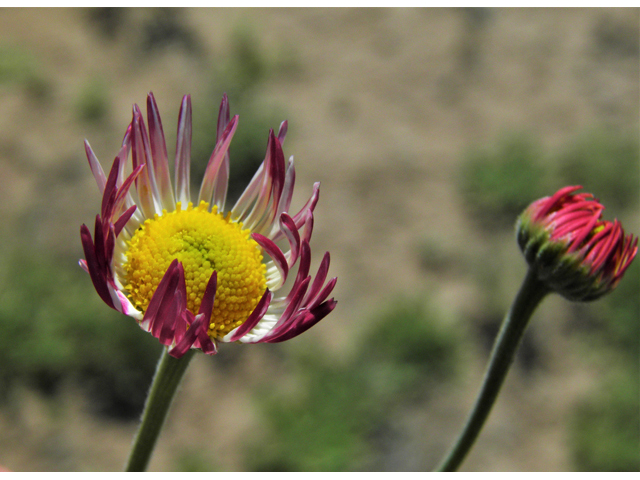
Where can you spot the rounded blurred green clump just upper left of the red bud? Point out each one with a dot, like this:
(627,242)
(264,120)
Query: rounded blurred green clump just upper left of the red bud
(498,183)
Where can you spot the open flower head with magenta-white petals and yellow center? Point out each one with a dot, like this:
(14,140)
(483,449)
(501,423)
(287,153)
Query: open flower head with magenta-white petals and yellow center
(193,275)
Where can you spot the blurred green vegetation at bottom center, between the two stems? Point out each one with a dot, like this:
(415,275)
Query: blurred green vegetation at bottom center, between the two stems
(336,420)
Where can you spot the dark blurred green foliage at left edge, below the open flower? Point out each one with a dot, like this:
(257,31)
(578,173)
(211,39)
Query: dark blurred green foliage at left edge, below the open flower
(55,328)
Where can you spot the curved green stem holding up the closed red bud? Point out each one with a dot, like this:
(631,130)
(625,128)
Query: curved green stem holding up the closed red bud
(530,295)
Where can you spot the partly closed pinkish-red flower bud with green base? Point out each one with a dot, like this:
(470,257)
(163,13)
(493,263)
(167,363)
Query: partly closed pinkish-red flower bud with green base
(573,250)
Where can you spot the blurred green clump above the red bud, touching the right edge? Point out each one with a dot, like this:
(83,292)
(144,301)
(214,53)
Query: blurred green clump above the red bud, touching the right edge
(606,163)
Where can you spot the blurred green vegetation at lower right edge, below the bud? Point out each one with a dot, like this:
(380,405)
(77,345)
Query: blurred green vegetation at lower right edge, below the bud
(606,425)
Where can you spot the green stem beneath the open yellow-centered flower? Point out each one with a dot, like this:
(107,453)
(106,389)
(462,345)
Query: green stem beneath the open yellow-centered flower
(166,380)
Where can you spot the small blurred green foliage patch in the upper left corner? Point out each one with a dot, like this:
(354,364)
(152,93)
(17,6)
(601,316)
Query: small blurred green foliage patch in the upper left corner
(19,67)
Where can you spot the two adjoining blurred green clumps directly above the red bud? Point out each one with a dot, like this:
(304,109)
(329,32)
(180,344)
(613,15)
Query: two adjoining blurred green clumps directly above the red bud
(498,181)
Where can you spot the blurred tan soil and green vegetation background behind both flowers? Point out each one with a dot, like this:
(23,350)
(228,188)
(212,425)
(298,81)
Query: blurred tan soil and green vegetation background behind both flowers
(430,131)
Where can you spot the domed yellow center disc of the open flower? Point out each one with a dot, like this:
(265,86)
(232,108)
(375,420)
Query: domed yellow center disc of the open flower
(202,241)
